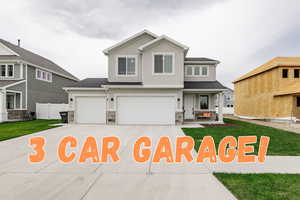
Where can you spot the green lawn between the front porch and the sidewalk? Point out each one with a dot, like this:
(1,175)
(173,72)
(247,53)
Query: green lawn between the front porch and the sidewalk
(282,142)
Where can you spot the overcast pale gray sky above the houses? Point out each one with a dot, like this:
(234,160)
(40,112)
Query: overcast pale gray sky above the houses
(242,34)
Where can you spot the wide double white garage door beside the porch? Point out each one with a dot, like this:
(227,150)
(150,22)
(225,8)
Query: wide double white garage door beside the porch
(146,110)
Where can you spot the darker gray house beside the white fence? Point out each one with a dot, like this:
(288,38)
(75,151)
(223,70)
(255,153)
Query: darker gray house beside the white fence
(26,79)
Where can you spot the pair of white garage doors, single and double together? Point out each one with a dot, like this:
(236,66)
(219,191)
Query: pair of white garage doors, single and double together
(129,110)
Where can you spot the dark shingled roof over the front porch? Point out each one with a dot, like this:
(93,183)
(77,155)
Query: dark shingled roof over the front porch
(203,85)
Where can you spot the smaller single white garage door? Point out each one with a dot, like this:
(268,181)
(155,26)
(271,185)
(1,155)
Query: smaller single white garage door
(90,110)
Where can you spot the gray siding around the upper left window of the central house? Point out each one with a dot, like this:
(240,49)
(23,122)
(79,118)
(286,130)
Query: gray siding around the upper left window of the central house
(130,48)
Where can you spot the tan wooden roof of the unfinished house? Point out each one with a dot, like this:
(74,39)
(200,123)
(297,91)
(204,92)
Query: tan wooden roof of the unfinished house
(275,62)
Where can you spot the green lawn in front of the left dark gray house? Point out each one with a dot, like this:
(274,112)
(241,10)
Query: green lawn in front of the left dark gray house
(16,129)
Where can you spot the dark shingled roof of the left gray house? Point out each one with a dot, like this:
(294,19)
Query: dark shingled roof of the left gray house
(35,60)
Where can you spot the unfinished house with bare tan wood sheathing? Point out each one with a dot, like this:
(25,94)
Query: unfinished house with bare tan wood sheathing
(271,91)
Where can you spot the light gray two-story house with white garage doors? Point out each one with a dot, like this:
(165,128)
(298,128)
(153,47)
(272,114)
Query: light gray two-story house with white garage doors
(150,81)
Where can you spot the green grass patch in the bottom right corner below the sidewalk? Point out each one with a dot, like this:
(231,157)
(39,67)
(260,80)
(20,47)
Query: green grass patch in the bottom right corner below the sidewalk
(262,186)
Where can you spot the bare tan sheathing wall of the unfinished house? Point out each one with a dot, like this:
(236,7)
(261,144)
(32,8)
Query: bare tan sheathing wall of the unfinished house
(254,96)
